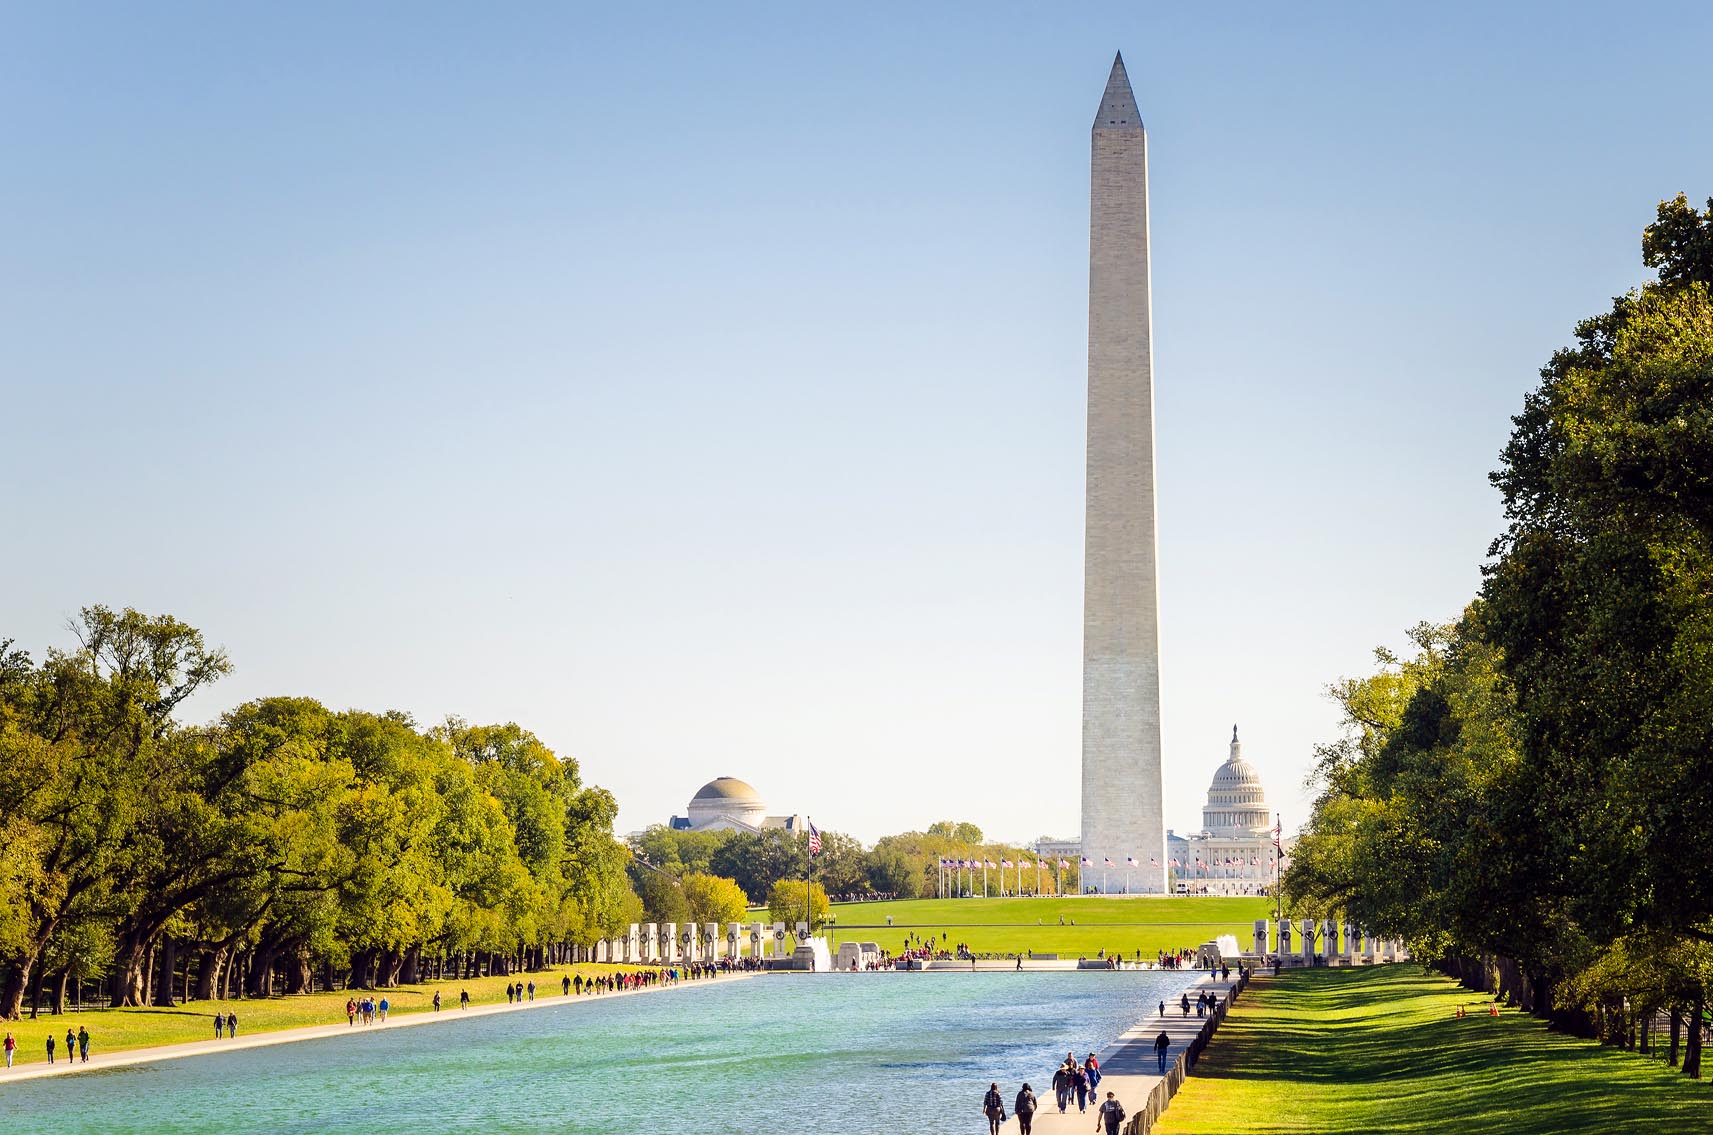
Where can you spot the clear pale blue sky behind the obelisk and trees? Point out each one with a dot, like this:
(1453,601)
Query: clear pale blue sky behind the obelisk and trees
(703,386)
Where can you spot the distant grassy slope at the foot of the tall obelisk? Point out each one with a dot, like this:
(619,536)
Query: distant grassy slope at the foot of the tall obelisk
(1022,925)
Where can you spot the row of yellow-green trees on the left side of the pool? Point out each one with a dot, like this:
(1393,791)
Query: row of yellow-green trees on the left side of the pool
(282,841)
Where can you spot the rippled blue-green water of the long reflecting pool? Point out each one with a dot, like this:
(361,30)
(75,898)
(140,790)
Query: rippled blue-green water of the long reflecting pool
(832,1054)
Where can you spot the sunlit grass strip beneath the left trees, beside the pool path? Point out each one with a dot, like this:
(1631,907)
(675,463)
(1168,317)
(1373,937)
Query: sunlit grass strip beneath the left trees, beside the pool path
(116,1030)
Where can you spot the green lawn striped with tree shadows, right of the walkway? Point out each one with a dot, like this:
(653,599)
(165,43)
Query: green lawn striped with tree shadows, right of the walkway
(1382,1050)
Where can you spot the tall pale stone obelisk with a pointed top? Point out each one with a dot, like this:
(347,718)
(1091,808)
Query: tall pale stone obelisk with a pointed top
(1123,811)
